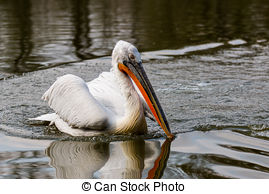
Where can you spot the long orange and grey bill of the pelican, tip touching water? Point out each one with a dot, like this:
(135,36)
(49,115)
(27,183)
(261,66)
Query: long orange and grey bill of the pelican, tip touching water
(138,75)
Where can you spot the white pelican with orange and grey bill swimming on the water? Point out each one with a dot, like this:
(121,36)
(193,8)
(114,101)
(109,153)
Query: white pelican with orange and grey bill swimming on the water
(115,102)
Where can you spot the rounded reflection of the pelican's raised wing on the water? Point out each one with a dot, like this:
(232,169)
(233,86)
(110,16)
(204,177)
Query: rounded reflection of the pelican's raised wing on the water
(73,159)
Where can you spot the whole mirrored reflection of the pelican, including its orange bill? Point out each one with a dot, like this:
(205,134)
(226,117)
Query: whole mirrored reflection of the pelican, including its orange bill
(126,159)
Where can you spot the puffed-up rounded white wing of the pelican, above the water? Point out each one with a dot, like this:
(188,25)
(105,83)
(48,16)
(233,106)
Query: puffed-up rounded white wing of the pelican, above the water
(71,99)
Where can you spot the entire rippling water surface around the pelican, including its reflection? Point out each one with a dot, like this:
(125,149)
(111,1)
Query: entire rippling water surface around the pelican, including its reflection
(208,61)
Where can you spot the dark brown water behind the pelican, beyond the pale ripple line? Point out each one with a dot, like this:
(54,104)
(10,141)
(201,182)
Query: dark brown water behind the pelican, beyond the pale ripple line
(40,34)
